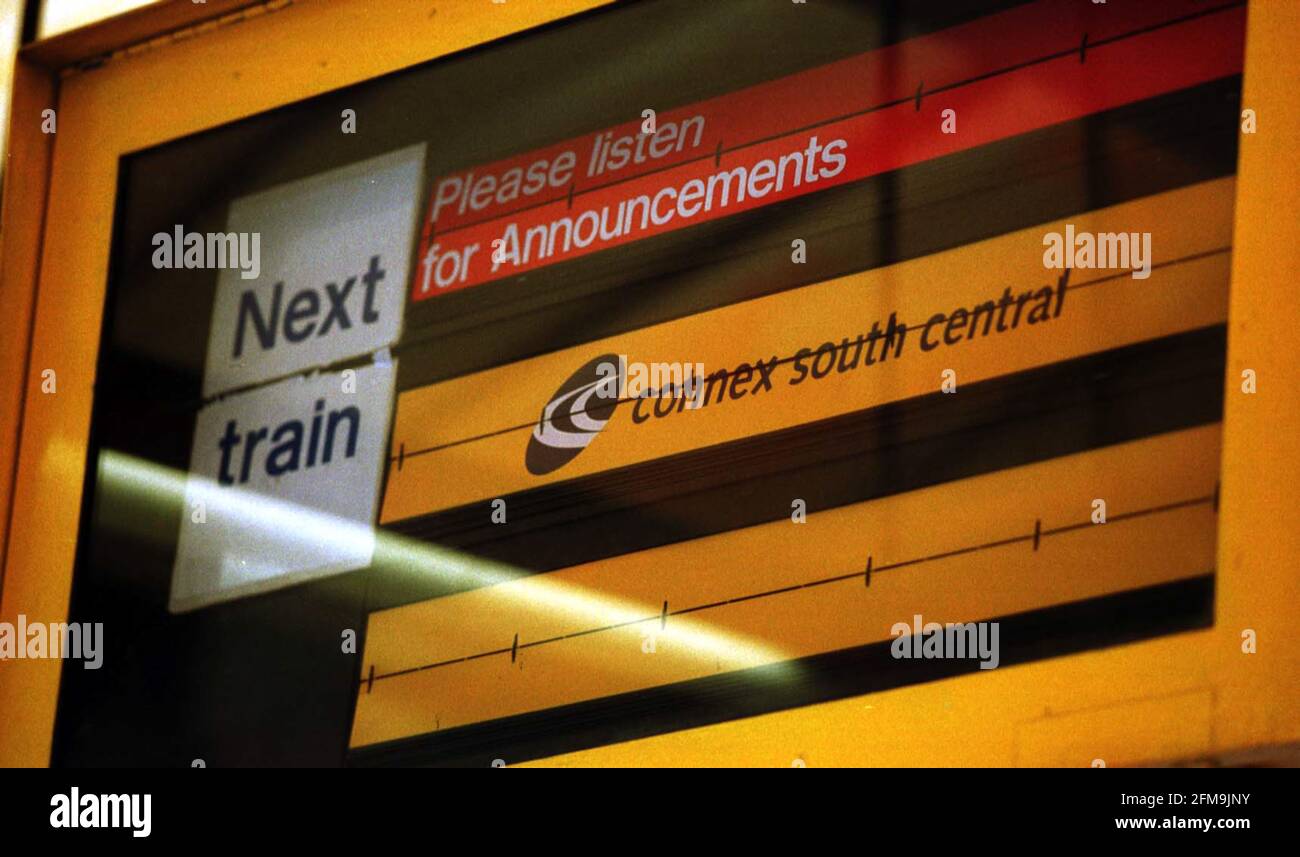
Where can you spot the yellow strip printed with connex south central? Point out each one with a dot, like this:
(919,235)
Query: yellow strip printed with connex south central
(466,440)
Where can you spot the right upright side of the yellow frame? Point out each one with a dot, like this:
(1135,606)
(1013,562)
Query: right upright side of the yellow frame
(1259,585)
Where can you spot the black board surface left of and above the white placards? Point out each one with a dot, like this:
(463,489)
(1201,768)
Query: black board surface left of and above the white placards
(263,681)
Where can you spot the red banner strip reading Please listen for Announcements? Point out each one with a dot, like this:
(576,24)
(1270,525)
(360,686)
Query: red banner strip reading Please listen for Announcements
(1002,76)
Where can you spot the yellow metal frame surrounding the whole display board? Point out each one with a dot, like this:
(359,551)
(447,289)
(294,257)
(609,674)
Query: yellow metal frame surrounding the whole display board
(1185,696)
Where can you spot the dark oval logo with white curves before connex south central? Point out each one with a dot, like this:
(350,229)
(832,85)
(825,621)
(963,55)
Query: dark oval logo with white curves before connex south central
(575,415)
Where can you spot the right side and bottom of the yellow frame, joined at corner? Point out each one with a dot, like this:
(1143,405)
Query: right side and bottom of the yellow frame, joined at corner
(1194,698)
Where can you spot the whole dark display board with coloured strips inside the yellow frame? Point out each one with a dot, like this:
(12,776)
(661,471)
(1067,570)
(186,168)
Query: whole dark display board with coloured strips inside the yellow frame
(601,421)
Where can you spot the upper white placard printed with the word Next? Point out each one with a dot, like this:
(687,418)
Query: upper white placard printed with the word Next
(335,258)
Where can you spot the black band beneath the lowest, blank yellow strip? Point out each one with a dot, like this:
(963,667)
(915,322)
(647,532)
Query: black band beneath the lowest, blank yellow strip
(1121,618)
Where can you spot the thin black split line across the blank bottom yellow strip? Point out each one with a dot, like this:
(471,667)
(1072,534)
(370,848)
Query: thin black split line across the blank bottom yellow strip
(821,582)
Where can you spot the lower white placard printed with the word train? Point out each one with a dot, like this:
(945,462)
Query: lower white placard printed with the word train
(283,487)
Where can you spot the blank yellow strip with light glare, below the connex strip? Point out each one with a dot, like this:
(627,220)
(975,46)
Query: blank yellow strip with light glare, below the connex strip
(995,546)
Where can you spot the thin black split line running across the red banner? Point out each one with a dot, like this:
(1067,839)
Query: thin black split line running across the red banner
(1069,53)
